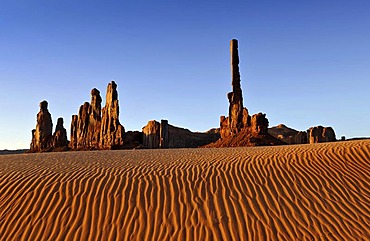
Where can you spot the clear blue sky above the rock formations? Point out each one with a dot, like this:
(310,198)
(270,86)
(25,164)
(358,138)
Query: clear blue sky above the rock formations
(304,63)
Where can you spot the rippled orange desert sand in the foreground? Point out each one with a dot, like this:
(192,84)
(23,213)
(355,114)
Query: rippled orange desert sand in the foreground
(298,192)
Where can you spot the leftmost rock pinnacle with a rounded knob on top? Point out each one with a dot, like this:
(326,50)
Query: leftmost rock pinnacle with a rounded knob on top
(42,135)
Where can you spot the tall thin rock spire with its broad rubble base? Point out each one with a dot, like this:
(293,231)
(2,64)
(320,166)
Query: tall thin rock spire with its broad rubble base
(239,128)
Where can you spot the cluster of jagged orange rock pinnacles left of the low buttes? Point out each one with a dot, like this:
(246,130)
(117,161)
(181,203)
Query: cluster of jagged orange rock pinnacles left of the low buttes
(94,128)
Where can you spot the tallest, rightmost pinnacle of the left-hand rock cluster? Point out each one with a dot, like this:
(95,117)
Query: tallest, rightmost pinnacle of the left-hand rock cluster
(112,131)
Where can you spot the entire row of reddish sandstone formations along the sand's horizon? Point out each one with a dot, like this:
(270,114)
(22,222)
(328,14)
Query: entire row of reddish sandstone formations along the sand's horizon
(97,128)
